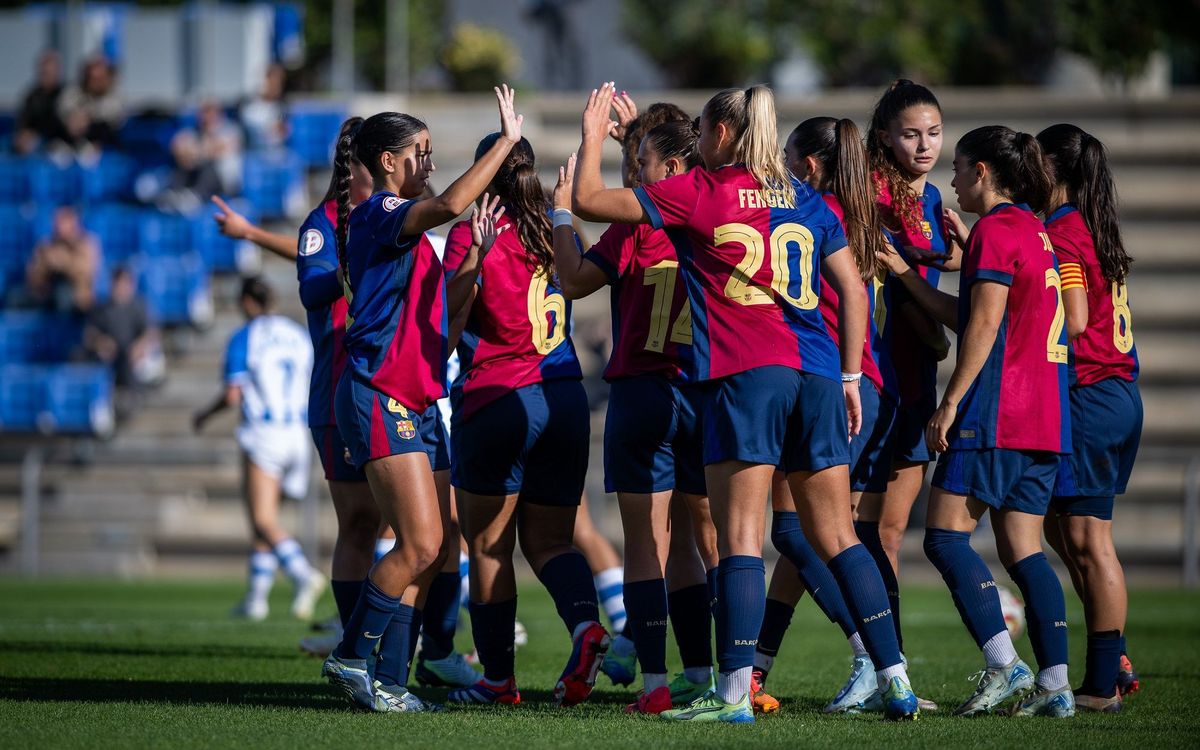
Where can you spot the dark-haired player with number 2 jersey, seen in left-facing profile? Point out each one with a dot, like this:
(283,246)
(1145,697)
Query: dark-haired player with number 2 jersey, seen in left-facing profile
(1003,422)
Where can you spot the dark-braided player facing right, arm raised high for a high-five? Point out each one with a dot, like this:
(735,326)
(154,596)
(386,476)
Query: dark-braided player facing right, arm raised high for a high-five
(397,344)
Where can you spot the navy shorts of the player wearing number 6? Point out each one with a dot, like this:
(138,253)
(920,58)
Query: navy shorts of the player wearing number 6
(532,441)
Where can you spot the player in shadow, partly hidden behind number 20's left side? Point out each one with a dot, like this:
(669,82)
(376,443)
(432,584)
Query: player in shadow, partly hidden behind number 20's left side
(652,437)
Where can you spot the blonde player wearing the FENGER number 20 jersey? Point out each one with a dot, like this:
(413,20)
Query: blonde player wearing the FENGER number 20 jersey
(754,247)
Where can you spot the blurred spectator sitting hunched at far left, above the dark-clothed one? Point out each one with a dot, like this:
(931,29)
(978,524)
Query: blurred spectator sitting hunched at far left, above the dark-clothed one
(62,275)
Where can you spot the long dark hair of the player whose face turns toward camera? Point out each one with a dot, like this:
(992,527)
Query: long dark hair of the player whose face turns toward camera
(901,97)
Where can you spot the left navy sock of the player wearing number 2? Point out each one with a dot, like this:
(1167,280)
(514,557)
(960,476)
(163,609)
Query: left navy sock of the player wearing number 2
(971,584)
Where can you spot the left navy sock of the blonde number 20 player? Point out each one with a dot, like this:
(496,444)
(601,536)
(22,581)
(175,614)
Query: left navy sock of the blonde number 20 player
(742,595)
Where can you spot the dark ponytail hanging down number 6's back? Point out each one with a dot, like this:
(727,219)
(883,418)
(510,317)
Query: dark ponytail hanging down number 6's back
(518,185)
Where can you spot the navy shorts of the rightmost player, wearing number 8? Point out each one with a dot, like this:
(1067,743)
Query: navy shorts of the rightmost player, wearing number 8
(1106,431)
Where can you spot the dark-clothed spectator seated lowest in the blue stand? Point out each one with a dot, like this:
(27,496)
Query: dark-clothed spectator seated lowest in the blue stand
(122,334)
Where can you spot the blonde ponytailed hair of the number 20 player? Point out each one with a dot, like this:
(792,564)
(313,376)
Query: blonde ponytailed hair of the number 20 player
(751,117)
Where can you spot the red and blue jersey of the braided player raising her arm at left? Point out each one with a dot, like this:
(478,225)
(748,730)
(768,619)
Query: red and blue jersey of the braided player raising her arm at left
(397,322)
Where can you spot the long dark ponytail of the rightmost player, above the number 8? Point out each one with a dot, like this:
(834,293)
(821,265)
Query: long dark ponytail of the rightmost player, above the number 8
(1078,163)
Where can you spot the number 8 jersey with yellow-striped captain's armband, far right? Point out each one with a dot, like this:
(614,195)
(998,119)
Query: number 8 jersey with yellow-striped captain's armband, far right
(1106,349)
